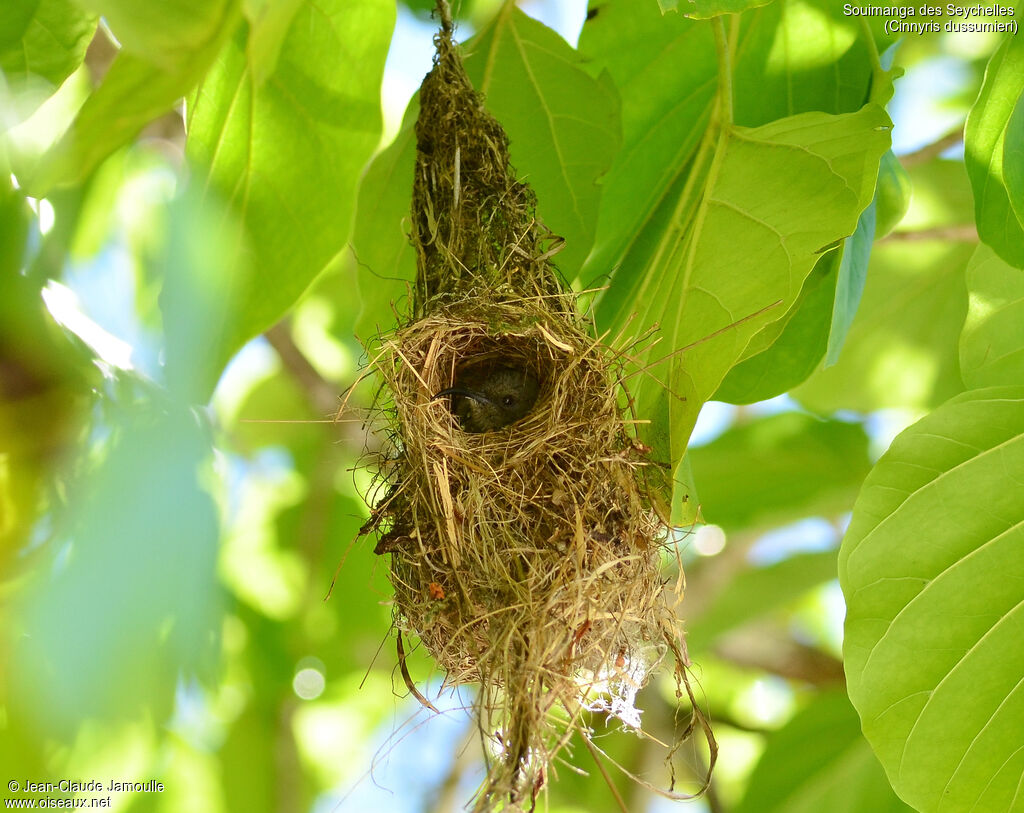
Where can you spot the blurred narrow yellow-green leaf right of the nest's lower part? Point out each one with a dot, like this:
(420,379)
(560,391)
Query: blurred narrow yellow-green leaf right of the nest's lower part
(755,592)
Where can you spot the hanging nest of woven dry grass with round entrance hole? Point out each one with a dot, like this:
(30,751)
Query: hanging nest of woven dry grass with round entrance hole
(528,560)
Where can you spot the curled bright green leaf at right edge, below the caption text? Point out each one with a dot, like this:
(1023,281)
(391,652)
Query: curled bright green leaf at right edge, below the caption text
(985,141)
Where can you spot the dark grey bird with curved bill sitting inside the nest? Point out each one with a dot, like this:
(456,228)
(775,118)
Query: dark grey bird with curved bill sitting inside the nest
(489,399)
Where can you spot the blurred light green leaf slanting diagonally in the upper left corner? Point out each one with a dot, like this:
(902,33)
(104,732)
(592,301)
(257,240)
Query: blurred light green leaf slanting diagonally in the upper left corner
(135,92)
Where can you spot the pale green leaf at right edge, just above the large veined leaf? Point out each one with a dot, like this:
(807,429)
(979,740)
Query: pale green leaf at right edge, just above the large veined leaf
(992,346)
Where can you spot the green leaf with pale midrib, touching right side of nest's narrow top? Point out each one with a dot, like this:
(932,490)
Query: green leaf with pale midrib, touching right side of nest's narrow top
(564,125)
